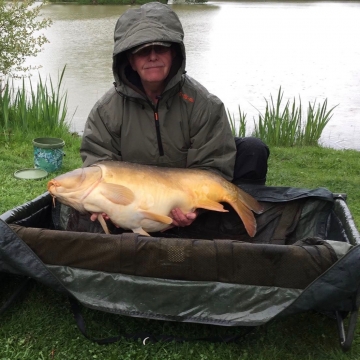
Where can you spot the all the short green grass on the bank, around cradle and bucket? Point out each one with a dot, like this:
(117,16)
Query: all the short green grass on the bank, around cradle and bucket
(42,326)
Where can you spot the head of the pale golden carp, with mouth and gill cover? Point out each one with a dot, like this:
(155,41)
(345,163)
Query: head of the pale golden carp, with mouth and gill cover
(72,187)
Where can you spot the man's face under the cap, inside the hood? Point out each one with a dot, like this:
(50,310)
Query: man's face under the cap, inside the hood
(152,63)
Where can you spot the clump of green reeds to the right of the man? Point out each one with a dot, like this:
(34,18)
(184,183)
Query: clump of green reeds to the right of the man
(283,125)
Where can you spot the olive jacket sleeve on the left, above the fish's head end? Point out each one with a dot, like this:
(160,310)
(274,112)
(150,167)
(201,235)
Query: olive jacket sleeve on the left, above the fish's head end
(101,138)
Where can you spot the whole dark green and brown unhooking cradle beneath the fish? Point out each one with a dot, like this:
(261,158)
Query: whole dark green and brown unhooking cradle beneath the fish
(305,256)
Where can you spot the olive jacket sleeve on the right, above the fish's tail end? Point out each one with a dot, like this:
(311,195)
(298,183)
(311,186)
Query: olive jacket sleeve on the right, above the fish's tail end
(212,143)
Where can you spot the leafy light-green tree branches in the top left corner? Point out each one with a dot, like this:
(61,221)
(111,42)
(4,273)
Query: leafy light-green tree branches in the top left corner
(20,35)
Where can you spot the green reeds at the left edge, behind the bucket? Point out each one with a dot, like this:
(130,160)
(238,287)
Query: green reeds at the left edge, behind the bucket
(40,109)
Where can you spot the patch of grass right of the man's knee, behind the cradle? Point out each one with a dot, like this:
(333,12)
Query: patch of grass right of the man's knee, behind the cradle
(312,167)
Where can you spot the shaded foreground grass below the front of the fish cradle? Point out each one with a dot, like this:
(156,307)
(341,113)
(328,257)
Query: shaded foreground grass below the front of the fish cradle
(49,333)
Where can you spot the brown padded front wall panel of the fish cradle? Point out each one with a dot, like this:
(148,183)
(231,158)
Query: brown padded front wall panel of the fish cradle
(289,266)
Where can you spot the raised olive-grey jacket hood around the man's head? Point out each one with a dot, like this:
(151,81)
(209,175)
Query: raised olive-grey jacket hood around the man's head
(151,22)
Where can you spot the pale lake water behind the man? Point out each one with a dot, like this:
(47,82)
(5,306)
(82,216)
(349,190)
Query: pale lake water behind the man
(240,51)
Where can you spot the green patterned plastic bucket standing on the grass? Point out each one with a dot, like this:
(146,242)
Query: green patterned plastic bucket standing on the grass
(48,153)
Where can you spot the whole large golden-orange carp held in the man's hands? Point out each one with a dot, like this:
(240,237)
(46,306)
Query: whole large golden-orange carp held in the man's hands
(140,197)
